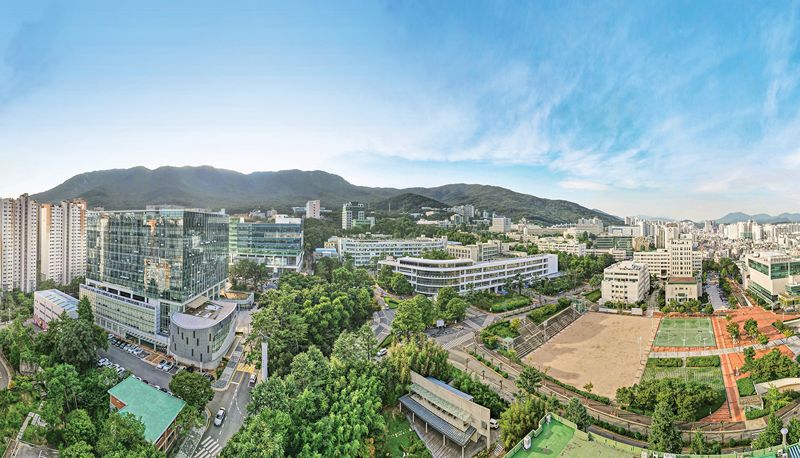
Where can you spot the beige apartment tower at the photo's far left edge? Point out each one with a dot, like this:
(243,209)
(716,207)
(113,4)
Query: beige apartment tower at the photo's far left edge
(18,243)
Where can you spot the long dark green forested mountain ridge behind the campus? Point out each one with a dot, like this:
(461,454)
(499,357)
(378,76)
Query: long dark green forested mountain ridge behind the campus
(210,187)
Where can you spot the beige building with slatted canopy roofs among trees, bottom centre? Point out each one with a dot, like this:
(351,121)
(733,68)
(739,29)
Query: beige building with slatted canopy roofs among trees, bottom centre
(447,410)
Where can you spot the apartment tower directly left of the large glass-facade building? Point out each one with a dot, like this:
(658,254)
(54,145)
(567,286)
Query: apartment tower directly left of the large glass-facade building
(62,241)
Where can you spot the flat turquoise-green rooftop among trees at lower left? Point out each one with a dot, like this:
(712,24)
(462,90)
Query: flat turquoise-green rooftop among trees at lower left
(154,408)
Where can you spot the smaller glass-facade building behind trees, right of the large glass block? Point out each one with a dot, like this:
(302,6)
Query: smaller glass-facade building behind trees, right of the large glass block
(277,245)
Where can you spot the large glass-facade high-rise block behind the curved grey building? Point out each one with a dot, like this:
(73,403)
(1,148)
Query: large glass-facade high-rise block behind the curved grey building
(145,265)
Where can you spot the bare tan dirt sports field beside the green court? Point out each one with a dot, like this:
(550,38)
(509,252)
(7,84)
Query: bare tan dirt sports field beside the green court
(600,348)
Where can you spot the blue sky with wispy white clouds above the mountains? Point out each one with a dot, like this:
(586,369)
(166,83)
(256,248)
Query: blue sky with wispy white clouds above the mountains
(682,109)
